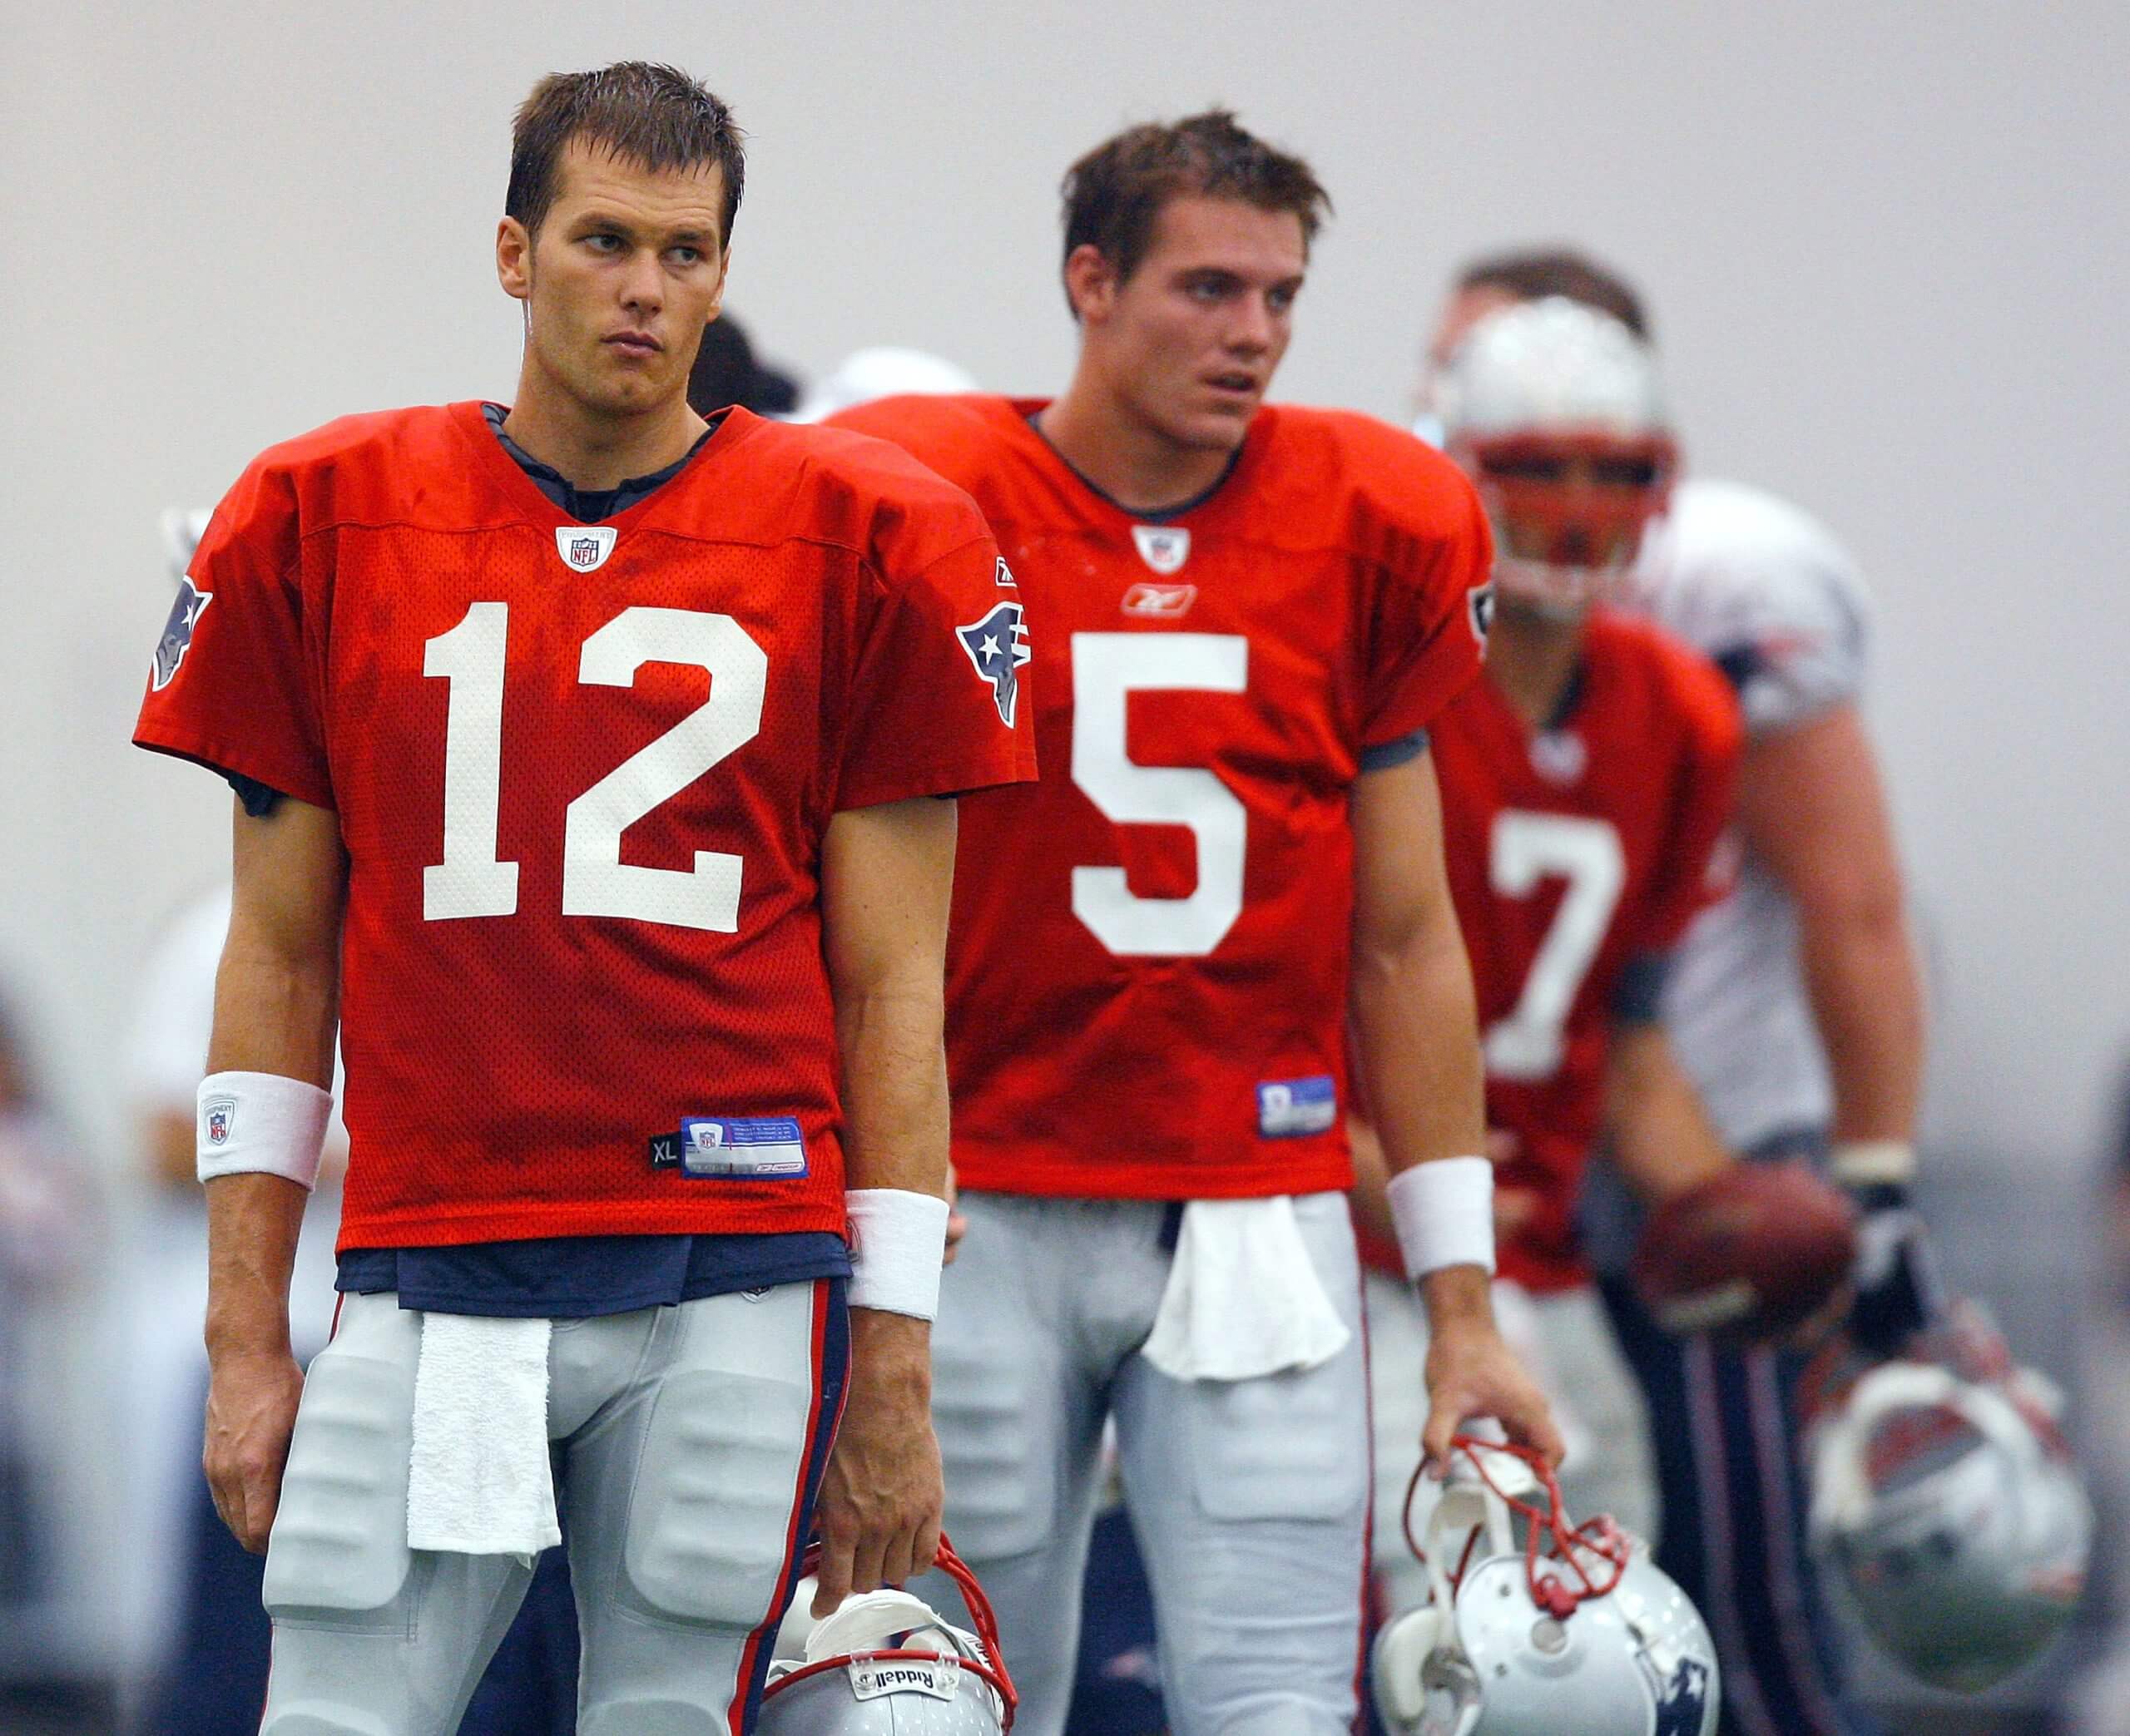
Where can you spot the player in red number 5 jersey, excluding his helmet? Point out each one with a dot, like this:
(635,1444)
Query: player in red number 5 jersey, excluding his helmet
(1247,623)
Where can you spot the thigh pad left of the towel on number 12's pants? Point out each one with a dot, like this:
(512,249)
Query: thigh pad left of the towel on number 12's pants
(340,1537)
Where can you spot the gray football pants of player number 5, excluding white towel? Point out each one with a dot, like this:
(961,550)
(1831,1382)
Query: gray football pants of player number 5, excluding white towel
(1249,1498)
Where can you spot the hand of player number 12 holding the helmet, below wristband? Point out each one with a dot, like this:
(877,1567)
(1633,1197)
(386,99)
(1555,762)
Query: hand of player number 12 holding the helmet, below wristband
(883,1492)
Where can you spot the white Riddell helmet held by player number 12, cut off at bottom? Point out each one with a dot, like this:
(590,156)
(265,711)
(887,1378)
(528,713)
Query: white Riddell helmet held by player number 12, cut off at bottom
(887,1665)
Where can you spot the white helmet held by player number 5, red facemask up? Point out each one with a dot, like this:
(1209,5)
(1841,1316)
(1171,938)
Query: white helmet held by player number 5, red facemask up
(1575,1633)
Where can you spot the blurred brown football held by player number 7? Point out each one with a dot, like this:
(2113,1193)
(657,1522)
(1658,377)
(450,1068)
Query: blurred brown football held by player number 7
(1748,1256)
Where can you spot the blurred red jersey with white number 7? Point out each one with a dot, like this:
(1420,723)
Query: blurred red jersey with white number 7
(1573,855)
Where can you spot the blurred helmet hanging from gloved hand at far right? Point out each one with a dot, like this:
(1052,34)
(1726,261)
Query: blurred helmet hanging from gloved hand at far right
(1952,1509)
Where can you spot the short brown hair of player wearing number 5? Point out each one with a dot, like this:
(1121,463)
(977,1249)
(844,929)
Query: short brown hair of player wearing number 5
(1117,191)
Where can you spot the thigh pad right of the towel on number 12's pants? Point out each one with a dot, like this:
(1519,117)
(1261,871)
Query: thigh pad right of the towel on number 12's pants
(710,1516)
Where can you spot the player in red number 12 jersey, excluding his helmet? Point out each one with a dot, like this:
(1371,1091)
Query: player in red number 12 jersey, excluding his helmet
(591,766)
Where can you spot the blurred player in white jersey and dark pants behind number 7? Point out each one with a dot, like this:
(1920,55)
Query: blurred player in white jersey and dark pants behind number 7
(1797,1011)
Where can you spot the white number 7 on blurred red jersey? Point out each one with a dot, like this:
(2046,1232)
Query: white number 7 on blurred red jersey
(1588,855)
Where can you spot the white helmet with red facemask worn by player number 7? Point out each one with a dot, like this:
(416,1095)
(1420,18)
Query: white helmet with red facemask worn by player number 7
(1556,414)
